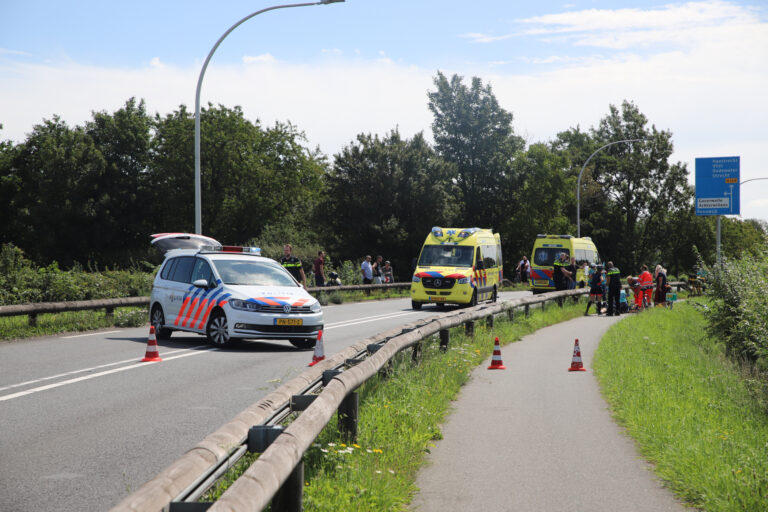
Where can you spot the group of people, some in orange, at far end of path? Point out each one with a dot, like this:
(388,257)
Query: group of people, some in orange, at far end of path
(606,289)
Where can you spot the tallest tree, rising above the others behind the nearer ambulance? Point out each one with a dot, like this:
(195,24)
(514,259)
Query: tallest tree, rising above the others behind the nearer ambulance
(472,131)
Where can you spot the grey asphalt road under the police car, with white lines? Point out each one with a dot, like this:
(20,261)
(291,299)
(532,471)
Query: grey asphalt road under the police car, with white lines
(83,423)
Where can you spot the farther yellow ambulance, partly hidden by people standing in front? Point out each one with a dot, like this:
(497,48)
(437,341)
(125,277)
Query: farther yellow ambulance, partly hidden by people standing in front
(547,247)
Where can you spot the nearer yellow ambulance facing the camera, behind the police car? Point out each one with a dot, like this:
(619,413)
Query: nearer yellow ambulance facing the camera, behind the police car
(457,266)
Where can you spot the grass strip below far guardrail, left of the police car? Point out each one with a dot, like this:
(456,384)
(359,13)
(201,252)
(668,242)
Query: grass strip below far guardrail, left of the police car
(15,327)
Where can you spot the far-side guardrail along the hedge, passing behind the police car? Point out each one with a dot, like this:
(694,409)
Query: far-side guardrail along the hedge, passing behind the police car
(34,309)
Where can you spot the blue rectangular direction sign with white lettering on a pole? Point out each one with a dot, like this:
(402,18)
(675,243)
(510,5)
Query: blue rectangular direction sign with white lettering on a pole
(717,186)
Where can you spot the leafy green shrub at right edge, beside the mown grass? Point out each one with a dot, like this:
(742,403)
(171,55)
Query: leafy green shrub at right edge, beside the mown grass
(739,308)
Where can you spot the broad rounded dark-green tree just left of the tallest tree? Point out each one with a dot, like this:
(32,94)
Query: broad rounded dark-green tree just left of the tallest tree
(384,195)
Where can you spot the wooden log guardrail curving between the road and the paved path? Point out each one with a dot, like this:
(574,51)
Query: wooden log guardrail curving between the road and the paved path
(189,477)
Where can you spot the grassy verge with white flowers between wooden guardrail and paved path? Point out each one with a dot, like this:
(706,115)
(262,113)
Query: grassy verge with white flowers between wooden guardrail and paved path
(399,418)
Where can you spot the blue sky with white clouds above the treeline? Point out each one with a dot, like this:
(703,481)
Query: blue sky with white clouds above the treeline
(698,69)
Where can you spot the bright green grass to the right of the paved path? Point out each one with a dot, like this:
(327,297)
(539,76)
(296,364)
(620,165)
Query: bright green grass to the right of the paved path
(690,410)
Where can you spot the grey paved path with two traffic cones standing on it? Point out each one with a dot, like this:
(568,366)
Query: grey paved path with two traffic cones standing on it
(536,437)
